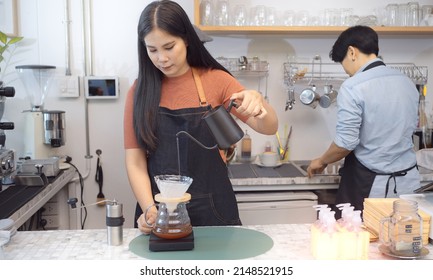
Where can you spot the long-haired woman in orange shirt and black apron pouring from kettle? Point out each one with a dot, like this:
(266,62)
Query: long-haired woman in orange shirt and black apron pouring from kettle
(177,80)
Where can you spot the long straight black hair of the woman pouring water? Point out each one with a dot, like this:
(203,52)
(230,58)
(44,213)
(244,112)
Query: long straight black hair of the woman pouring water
(170,17)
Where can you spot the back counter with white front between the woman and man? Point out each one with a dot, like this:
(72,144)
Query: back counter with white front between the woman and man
(280,195)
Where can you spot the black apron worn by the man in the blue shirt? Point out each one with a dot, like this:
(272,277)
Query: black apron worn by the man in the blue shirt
(357,180)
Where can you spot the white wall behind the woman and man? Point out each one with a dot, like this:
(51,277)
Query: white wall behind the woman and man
(114,53)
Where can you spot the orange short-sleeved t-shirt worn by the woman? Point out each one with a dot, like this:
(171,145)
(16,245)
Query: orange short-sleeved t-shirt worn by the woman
(181,92)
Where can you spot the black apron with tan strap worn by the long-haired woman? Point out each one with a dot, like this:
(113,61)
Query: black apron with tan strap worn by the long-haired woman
(213,201)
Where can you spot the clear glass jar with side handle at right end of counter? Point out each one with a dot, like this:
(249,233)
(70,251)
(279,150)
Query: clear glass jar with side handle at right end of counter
(402,231)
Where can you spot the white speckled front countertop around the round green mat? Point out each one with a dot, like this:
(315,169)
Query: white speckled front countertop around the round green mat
(291,242)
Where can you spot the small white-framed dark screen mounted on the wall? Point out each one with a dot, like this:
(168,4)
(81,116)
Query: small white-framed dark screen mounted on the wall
(101,87)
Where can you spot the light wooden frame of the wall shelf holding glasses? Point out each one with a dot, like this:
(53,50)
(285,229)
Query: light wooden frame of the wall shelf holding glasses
(304,30)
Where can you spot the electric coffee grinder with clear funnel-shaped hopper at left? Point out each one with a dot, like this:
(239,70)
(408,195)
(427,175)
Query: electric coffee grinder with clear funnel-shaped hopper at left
(44,129)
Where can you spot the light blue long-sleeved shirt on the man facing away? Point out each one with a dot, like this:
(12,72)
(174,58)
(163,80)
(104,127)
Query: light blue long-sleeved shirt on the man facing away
(377,116)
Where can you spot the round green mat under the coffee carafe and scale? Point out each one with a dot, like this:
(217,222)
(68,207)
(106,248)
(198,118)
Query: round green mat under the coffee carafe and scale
(211,243)
